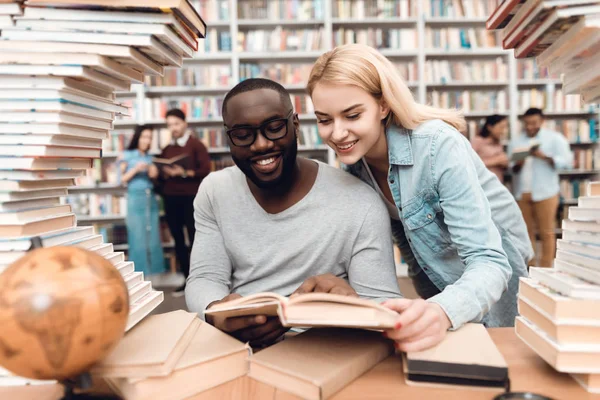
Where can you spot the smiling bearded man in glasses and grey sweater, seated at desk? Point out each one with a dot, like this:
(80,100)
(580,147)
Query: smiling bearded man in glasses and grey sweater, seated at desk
(275,220)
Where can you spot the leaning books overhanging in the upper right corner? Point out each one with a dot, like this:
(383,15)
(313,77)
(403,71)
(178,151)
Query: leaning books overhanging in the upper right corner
(563,35)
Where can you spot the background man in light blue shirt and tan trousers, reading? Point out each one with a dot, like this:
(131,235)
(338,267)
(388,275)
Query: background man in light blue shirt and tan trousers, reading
(536,181)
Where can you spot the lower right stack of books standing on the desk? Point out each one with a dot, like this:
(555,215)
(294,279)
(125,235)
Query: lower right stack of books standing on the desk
(560,307)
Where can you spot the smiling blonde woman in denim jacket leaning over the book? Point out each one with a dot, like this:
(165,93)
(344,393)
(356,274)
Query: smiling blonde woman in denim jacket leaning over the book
(458,228)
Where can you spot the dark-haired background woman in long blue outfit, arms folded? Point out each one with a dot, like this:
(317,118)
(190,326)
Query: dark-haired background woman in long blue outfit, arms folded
(143,229)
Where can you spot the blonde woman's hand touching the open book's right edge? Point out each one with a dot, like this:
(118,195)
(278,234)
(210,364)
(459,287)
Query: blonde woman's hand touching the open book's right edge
(420,324)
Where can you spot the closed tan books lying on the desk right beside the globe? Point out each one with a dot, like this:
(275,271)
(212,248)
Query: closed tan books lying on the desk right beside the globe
(172,356)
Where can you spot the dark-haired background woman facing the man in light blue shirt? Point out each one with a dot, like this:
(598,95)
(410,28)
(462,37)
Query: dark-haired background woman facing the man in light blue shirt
(488,144)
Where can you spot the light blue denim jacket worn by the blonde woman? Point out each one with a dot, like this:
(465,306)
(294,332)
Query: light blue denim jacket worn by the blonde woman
(458,224)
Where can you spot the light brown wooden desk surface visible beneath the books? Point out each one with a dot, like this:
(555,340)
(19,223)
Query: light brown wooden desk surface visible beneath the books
(527,372)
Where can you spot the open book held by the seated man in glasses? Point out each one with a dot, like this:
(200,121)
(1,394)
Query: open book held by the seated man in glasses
(310,310)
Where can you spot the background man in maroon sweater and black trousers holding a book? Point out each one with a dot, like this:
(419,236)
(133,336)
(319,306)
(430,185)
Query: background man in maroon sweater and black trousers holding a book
(179,185)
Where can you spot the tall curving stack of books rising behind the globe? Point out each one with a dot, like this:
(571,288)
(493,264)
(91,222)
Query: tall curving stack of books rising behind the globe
(60,65)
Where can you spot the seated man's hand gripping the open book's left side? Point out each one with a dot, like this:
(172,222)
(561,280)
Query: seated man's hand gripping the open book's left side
(256,329)
